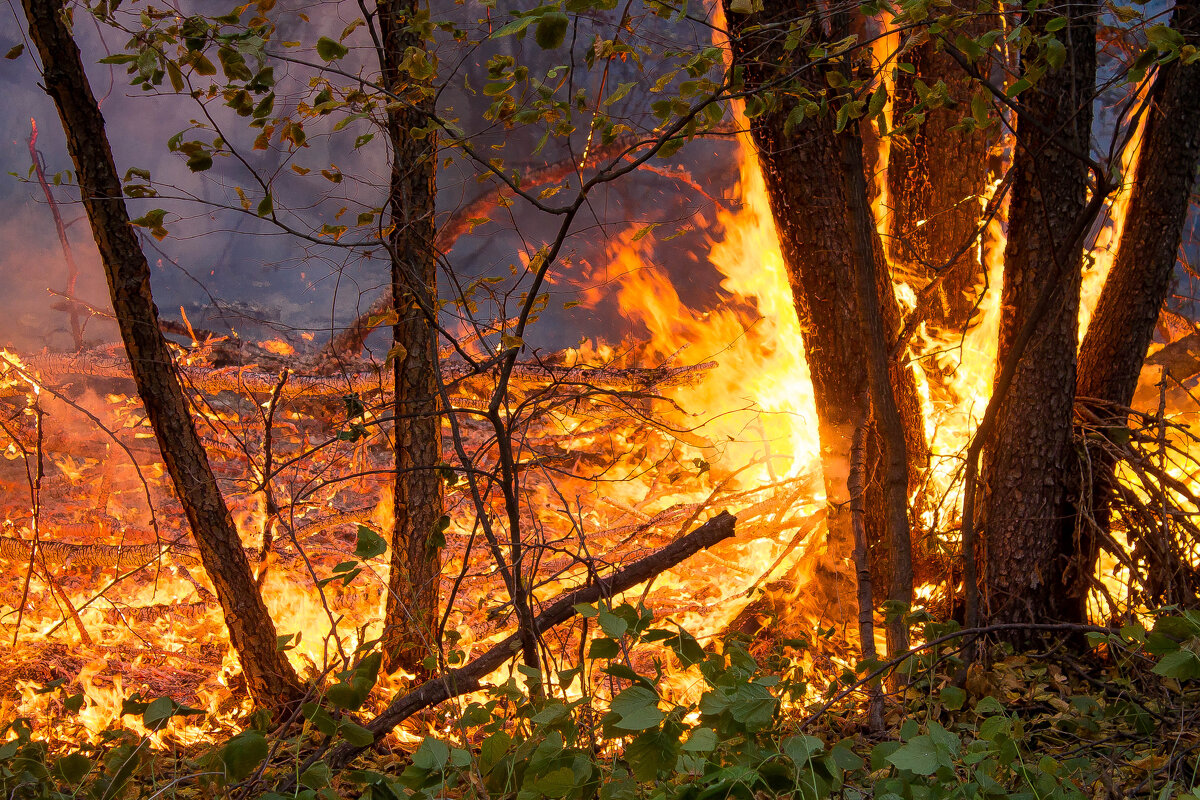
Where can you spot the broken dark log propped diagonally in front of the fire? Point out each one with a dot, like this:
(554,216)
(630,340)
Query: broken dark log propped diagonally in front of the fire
(470,677)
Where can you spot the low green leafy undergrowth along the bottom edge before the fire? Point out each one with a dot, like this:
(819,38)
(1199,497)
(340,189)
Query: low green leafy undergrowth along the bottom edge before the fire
(1115,717)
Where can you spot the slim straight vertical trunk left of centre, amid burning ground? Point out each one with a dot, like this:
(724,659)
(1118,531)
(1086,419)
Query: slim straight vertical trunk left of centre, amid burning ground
(411,616)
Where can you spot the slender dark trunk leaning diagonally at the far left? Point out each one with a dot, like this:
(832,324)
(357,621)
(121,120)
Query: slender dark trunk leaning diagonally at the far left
(269,676)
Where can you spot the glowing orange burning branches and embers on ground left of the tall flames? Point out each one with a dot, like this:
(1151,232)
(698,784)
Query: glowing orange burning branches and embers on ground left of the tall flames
(617,470)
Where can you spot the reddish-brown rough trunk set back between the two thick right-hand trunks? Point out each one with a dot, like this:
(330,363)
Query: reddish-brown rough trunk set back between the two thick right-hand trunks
(937,177)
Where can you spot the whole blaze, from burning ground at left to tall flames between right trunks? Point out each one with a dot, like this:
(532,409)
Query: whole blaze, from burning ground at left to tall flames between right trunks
(127,607)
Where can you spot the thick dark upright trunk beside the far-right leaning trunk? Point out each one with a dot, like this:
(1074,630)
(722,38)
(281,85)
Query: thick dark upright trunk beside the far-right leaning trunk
(1028,462)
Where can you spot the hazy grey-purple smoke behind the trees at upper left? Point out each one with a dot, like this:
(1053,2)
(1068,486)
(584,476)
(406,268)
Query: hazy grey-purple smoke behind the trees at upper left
(231,270)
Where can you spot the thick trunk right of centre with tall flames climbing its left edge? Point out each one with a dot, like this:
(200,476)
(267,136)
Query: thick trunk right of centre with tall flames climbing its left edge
(803,172)
